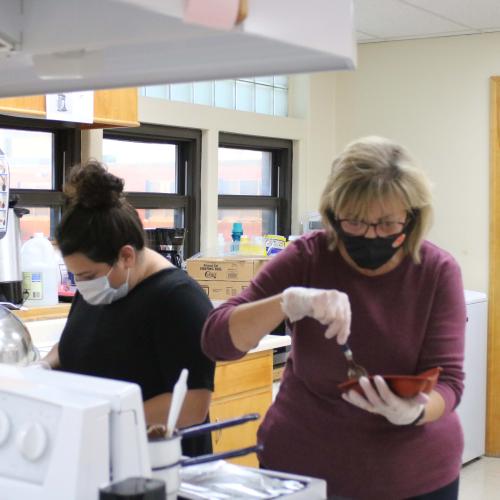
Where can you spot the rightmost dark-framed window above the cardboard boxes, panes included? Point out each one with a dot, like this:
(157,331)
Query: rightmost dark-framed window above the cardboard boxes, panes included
(254,185)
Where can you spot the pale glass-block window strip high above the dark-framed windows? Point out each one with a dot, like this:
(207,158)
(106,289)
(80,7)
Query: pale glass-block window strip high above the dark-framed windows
(264,94)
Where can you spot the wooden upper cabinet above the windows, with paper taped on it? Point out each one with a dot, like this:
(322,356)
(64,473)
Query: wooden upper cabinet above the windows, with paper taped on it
(112,108)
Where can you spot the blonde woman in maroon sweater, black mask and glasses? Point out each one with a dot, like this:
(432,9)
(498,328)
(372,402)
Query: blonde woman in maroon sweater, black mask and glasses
(370,277)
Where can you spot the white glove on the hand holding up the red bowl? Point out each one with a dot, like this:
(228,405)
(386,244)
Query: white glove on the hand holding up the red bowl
(399,411)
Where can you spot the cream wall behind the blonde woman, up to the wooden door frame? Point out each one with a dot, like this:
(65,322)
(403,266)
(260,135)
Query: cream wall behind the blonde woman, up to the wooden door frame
(433,97)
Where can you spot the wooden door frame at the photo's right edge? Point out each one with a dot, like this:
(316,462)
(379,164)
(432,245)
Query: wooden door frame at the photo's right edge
(493,386)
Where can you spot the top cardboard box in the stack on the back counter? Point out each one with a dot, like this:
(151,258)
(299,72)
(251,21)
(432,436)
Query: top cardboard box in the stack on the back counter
(225,269)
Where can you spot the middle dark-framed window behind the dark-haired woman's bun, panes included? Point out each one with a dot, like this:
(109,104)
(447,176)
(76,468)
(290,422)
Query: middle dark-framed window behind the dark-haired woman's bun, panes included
(161,169)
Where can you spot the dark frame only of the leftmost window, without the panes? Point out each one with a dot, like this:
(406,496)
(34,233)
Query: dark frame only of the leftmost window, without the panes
(66,151)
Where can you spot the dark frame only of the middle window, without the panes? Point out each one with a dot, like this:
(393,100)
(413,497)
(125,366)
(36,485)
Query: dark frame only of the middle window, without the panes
(188,142)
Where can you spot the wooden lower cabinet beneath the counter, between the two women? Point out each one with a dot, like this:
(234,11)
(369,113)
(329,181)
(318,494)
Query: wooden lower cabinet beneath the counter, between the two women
(243,386)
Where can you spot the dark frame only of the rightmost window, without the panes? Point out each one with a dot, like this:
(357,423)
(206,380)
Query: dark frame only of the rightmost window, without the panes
(281,178)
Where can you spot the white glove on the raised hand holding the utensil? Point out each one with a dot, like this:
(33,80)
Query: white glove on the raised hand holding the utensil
(329,307)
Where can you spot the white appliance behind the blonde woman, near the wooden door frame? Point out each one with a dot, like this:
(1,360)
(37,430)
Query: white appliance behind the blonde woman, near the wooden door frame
(472,408)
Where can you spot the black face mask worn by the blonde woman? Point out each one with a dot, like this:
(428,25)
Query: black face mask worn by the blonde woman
(369,253)
